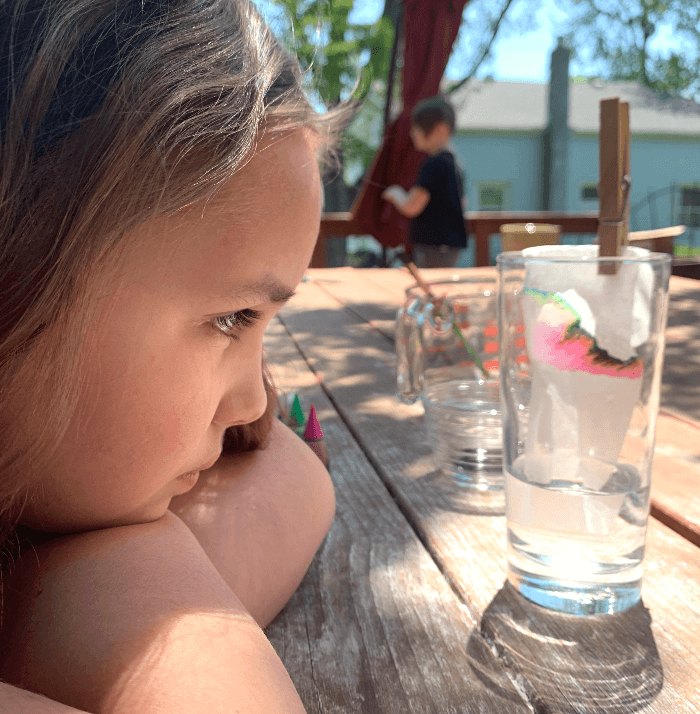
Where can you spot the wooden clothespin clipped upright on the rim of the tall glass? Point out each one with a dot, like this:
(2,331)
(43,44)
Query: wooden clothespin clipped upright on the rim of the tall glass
(615,181)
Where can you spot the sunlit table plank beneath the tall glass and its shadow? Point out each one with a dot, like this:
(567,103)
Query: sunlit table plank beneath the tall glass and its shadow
(652,667)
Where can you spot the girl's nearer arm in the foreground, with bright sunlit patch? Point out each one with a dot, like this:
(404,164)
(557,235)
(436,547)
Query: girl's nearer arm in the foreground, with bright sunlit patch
(137,620)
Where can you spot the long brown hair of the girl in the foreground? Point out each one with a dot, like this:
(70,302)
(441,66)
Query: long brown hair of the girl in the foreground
(112,111)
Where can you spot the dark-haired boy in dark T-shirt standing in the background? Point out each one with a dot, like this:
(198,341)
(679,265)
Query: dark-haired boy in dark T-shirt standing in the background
(434,205)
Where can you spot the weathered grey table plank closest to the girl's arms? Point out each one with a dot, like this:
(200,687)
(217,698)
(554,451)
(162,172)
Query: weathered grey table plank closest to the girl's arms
(374,626)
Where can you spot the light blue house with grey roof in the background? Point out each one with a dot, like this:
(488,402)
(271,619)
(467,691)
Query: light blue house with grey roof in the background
(526,148)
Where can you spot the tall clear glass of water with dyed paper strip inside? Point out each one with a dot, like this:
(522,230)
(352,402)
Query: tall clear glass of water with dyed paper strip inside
(581,351)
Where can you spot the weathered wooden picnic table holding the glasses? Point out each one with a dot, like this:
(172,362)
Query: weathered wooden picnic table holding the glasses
(404,608)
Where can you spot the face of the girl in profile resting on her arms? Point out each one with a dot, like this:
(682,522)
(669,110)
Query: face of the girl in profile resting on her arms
(174,357)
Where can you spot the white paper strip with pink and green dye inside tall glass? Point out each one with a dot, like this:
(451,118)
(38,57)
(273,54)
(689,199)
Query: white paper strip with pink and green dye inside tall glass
(581,407)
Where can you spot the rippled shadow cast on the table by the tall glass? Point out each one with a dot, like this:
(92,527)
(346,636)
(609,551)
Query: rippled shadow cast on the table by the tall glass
(565,663)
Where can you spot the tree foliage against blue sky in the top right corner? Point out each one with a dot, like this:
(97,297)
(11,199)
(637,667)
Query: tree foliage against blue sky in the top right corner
(624,40)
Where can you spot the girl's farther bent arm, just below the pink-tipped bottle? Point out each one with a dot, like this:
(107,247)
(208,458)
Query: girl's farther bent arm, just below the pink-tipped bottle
(260,518)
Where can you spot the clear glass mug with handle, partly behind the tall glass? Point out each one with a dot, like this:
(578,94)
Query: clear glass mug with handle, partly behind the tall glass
(447,354)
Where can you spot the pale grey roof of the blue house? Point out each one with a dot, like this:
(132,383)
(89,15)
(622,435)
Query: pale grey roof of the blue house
(483,104)
